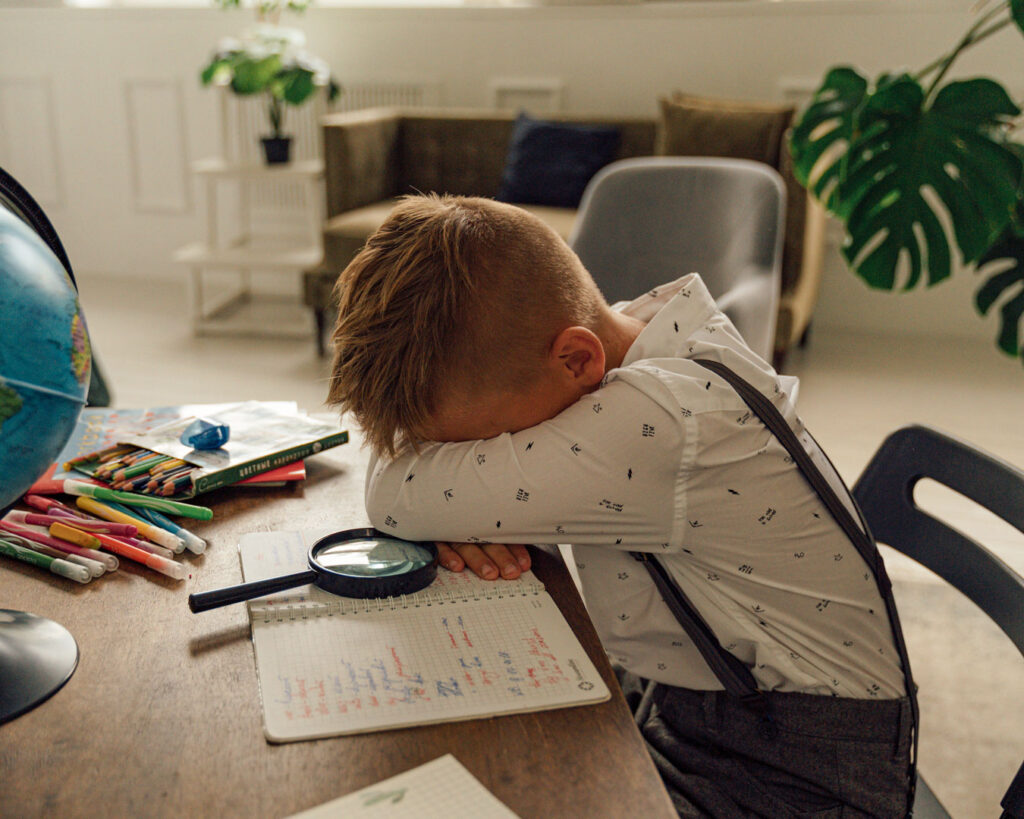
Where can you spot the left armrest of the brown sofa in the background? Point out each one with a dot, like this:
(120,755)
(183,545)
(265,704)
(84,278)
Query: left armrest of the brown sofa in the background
(361,158)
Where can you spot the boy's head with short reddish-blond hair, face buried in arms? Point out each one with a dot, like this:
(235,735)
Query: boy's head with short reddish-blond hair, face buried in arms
(459,307)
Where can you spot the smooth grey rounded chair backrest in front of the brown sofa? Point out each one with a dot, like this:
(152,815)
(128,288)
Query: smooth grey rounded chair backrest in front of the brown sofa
(647,222)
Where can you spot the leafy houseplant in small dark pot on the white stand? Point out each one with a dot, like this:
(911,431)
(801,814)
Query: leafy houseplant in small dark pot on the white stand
(270,60)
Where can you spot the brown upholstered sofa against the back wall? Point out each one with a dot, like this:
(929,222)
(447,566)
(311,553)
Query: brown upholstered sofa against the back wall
(374,156)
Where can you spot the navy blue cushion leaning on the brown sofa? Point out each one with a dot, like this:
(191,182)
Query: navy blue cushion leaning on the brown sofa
(550,163)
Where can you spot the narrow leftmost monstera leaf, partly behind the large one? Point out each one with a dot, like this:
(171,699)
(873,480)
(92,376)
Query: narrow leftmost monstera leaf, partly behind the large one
(827,125)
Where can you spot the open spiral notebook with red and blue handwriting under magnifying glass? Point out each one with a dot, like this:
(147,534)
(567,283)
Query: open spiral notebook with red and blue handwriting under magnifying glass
(460,650)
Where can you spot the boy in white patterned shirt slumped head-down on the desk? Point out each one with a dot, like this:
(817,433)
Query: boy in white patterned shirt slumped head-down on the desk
(507,404)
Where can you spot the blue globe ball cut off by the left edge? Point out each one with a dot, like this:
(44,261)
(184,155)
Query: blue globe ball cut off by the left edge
(46,358)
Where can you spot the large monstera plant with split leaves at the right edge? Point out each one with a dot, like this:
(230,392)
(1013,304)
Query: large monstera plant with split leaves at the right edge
(925,176)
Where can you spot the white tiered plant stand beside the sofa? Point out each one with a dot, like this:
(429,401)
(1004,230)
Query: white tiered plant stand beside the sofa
(245,280)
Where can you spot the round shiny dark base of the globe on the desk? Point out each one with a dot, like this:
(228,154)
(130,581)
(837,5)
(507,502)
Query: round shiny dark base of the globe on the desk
(37,658)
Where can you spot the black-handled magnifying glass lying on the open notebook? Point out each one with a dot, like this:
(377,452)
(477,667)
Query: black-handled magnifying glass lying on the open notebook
(352,564)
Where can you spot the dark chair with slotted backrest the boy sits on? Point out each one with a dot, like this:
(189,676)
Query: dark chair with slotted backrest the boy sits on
(885,493)
